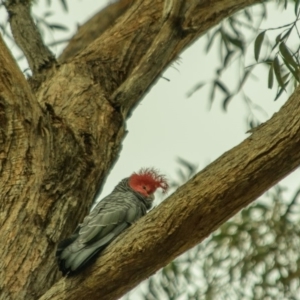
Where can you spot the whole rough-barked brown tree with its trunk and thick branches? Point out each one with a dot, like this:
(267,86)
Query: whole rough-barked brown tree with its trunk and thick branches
(59,139)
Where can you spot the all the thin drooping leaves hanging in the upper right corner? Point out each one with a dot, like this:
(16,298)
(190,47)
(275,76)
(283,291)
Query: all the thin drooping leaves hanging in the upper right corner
(279,53)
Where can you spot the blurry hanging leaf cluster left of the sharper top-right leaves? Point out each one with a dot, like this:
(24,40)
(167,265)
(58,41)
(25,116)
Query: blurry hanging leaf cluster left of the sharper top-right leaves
(233,35)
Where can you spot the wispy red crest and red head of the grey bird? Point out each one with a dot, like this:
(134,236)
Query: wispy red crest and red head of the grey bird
(150,178)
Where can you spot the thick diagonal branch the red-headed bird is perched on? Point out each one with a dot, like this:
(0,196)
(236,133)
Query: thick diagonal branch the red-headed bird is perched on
(199,207)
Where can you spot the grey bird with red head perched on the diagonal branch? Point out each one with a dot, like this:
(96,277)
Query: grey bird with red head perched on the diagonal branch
(131,198)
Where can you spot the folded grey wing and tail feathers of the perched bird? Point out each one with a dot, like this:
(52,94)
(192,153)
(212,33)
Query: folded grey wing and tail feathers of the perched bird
(108,219)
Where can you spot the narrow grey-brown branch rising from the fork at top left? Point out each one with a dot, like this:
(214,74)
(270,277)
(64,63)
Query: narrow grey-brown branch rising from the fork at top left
(27,36)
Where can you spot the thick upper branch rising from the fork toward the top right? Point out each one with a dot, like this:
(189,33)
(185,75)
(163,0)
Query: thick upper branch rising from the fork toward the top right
(150,43)
